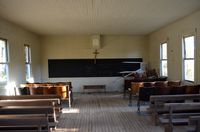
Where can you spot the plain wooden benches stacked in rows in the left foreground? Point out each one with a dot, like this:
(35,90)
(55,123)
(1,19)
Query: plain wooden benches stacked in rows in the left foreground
(29,112)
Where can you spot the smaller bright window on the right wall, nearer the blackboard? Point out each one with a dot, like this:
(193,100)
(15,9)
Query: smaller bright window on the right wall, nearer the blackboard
(163,59)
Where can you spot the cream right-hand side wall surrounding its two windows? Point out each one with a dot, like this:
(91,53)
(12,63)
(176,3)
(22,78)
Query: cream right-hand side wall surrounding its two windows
(174,33)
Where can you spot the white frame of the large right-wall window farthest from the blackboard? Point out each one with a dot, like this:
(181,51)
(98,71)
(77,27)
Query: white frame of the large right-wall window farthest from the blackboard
(184,56)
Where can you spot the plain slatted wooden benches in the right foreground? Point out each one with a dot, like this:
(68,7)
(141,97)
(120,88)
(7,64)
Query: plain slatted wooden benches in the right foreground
(171,110)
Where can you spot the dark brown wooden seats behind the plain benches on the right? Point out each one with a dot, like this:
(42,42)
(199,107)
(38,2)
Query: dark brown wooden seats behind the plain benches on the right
(144,91)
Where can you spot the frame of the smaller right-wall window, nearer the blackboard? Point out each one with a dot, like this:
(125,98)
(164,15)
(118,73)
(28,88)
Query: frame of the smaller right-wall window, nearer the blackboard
(162,59)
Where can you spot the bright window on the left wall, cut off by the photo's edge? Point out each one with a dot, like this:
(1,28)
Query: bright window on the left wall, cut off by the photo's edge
(3,61)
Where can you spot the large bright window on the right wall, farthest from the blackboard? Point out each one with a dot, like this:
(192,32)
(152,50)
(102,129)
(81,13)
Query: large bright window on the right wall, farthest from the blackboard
(188,58)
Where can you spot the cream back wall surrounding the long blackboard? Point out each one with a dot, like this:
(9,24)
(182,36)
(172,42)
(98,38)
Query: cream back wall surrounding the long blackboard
(112,46)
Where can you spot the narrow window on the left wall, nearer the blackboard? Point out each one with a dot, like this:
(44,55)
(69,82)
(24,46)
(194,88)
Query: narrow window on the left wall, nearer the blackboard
(27,62)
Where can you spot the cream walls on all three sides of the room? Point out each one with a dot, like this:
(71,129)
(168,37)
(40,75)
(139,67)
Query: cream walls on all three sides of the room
(113,46)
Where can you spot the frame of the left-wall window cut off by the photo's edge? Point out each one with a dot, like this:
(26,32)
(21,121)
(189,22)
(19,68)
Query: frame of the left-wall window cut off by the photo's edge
(6,63)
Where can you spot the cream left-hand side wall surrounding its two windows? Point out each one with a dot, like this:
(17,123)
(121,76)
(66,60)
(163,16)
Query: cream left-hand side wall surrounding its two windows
(17,37)
